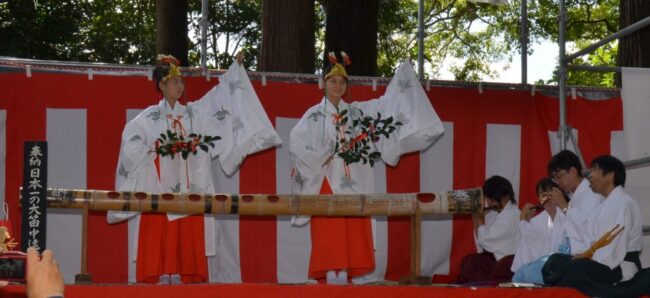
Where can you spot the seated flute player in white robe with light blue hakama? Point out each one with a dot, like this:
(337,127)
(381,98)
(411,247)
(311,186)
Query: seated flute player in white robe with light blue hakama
(540,234)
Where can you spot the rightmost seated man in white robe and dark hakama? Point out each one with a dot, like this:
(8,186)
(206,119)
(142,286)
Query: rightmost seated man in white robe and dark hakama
(613,270)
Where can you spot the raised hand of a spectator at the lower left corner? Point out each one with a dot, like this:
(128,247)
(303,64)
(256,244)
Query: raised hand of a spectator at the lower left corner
(43,276)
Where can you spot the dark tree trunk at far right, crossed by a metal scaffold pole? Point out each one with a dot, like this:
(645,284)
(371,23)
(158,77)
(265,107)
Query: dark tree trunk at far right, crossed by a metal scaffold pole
(633,49)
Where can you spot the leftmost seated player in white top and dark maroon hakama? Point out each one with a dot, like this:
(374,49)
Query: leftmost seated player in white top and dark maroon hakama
(497,234)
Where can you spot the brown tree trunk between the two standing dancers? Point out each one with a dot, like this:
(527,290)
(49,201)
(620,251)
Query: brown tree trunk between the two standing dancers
(288,36)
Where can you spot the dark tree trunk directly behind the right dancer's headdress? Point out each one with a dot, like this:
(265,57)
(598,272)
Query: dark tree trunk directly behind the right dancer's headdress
(351,26)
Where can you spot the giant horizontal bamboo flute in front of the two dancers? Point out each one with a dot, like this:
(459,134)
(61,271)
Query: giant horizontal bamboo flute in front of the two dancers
(452,202)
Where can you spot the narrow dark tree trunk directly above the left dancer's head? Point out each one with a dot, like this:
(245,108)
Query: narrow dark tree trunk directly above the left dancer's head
(171,29)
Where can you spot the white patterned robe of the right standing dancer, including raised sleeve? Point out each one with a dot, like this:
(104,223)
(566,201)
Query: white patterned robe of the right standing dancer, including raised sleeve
(313,138)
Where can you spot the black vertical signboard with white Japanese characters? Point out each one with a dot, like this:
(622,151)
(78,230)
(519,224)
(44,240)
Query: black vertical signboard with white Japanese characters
(33,196)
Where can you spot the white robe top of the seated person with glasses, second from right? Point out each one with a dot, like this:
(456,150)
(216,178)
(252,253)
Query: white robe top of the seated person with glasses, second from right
(584,202)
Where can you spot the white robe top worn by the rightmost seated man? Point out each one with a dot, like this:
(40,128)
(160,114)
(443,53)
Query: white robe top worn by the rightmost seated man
(617,209)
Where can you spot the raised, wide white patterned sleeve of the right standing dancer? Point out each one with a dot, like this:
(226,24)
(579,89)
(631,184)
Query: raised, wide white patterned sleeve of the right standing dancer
(406,102)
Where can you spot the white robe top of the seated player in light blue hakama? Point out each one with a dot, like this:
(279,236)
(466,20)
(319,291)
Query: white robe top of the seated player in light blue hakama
(540,236)
